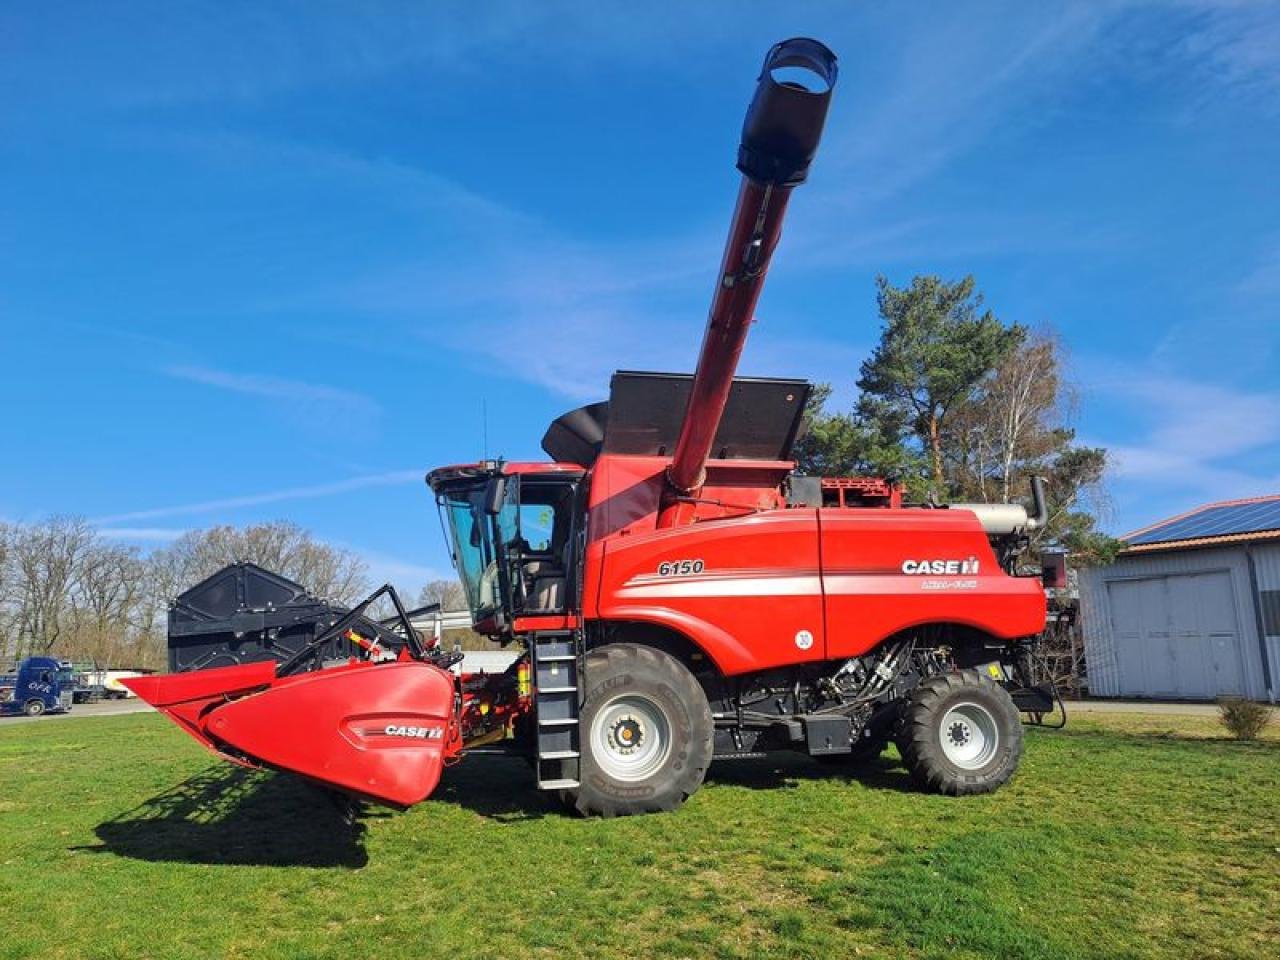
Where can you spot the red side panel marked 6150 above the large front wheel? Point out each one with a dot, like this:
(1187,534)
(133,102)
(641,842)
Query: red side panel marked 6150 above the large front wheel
(747,591)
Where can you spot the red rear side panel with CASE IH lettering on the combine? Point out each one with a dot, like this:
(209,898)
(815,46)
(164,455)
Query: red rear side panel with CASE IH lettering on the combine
(889,570)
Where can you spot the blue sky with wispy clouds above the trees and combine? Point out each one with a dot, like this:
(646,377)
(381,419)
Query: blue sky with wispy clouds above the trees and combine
(269,260)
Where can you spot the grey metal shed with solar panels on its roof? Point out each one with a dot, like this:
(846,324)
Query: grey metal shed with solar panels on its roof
(1191,610)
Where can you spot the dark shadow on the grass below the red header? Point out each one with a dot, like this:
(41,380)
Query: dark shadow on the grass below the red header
(231,816)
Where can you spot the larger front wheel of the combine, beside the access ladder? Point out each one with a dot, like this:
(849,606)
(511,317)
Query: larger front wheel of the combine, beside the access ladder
(646,734)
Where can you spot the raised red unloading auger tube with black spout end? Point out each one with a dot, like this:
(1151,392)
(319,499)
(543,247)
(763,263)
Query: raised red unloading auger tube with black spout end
(780,138)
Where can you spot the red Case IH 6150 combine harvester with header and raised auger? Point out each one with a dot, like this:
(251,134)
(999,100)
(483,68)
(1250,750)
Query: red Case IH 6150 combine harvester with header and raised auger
(680,595)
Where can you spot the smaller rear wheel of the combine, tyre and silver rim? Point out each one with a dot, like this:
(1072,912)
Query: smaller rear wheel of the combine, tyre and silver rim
(961,734)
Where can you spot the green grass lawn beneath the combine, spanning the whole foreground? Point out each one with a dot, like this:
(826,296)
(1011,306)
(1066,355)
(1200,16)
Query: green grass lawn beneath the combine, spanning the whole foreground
(1122,838)
